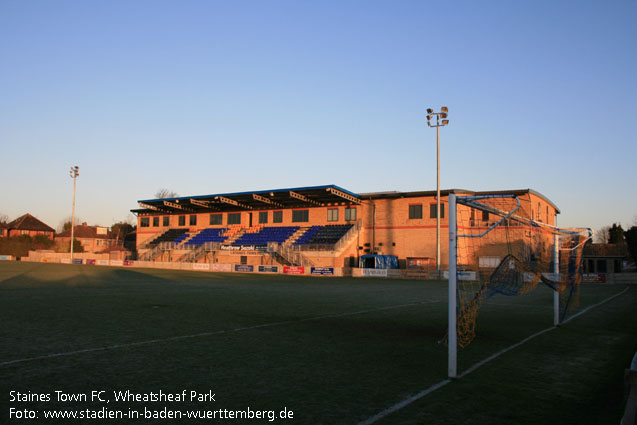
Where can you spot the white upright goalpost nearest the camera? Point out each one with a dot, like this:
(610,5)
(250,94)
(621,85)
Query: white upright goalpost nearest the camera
(452,318)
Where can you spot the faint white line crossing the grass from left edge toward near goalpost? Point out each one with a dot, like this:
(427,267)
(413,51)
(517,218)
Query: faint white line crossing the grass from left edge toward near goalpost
(204,334)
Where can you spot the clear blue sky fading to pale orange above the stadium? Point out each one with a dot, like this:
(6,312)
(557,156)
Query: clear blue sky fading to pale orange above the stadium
(206,97)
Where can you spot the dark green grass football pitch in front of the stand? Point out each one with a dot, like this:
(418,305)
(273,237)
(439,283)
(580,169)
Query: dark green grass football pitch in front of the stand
(332,350)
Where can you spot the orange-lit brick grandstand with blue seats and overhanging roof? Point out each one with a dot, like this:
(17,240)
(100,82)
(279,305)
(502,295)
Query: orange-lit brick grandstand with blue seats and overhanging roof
(323,226)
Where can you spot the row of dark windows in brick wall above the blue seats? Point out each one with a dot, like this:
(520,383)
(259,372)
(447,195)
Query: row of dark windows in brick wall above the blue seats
(298,216)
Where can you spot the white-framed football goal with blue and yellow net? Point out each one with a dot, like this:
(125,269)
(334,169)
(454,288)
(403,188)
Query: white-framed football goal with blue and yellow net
(496,246)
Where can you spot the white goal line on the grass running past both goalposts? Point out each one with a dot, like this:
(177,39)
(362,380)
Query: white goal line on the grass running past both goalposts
(441,384)
